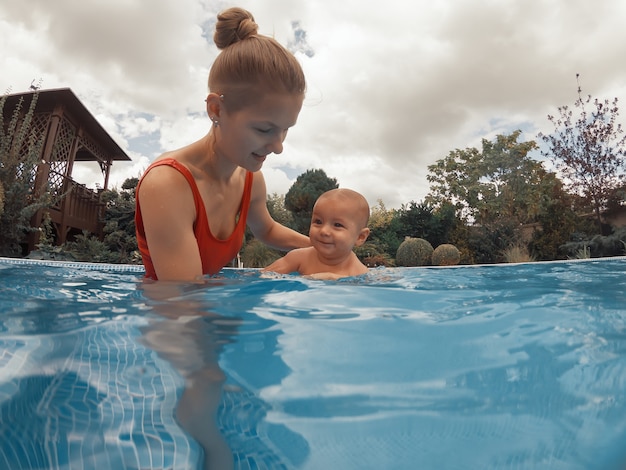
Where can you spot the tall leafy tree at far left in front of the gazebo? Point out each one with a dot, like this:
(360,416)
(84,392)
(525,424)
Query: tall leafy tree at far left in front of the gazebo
(20,153)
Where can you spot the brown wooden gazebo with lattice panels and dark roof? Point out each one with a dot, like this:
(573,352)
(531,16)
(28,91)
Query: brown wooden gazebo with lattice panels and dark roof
(70,134)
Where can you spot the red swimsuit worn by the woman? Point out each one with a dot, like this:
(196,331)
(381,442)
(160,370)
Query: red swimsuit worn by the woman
(215,253)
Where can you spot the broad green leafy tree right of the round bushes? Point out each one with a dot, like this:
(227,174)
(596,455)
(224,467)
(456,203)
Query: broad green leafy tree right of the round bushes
(496,191)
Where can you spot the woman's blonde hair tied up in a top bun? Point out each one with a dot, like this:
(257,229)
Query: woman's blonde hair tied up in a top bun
(250,63)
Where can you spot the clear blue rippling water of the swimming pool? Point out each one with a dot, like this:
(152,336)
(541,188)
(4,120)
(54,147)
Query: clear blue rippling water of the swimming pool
(503,367)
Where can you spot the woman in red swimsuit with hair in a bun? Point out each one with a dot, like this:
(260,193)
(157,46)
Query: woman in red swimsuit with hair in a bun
(193,203)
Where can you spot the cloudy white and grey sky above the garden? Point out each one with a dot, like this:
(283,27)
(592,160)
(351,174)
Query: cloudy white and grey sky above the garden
(392,86)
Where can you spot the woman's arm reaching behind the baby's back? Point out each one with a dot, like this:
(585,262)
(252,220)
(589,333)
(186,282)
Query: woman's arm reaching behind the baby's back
(267,229)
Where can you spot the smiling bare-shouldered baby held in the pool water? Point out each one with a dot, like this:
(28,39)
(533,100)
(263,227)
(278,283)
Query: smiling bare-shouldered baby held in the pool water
(338,224)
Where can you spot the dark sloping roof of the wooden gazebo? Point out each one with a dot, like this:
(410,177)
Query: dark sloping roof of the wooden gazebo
(49,99)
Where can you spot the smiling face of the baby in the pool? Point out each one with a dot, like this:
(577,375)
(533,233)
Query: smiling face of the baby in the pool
(334,230)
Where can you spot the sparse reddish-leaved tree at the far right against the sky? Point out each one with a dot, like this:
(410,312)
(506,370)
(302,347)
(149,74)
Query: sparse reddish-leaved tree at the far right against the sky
(589,152)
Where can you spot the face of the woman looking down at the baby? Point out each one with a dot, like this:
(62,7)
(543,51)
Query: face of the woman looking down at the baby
(248,135)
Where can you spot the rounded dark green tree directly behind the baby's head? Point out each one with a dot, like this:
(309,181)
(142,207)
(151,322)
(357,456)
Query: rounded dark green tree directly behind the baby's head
(302,195)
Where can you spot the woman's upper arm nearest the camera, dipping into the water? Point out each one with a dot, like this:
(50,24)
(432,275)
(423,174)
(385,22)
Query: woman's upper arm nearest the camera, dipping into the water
(168,213)
